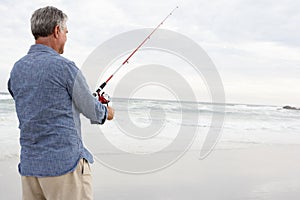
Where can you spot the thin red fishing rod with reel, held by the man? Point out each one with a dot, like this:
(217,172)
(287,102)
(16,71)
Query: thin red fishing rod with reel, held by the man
(104,98)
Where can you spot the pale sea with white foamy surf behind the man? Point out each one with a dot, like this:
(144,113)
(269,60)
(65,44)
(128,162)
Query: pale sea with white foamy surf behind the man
(243,126)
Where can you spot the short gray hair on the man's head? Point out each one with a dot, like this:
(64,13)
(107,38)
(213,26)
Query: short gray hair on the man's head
(44,20)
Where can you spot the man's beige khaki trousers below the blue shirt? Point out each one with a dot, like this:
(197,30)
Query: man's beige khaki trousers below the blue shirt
(76,185)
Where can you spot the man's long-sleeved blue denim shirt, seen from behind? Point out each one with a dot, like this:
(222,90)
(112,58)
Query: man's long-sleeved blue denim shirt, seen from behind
(50,93)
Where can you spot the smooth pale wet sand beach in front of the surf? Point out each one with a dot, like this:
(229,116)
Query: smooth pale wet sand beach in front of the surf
(257,172)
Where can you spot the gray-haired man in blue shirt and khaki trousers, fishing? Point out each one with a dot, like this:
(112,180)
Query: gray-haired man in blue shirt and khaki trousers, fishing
(50,93)
